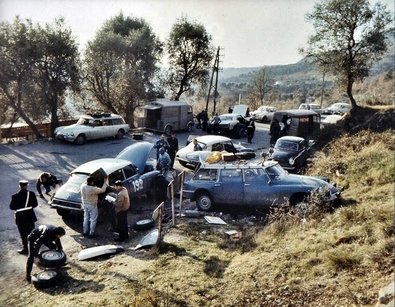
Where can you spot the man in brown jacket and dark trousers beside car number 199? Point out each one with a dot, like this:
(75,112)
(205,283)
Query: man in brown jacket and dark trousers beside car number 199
(122,204)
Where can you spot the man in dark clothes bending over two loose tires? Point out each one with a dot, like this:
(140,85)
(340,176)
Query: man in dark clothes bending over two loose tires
(44,234)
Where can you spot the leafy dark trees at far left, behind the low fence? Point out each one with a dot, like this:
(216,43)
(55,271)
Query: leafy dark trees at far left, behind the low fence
(37,66)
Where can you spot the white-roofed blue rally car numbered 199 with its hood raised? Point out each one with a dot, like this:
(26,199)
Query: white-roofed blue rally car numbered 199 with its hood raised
(132,166)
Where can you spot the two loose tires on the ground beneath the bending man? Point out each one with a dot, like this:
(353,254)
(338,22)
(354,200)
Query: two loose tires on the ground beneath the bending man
(51,260)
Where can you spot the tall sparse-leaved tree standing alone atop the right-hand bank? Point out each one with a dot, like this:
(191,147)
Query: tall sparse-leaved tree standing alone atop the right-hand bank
(349,37)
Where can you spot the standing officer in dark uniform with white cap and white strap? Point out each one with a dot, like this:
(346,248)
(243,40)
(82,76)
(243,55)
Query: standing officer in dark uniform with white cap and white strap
(23,203)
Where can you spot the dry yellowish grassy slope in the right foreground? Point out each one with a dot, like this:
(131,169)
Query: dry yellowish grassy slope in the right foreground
(337,258)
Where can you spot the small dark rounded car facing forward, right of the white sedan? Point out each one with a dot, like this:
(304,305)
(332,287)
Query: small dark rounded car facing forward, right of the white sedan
(291,152)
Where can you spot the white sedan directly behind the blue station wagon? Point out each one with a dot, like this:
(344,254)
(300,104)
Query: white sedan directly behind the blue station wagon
(209,143)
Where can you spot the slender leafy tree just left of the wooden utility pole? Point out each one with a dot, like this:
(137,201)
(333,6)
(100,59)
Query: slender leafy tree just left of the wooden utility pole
(190,53)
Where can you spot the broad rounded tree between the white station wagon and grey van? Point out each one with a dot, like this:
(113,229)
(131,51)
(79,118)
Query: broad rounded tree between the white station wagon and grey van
(120,63)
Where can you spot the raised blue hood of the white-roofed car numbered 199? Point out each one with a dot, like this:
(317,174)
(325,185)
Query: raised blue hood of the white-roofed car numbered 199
(137,154)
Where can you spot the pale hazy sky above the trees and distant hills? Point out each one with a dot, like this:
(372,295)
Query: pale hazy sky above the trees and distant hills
(250,33)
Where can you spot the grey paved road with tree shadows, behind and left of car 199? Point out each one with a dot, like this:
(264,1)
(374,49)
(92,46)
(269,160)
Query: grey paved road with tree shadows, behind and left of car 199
(27,161)
